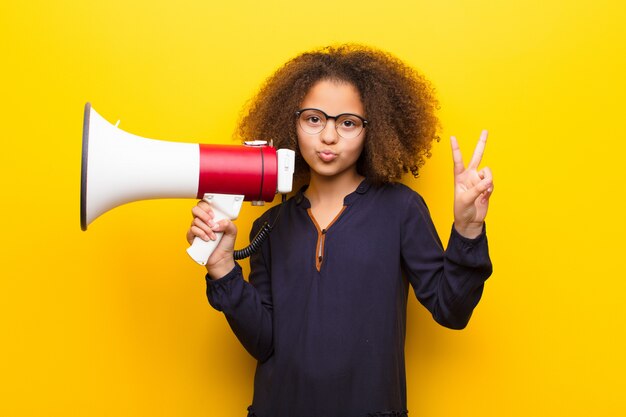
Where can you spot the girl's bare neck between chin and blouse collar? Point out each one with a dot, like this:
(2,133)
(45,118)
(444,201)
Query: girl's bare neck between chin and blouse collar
(328,190)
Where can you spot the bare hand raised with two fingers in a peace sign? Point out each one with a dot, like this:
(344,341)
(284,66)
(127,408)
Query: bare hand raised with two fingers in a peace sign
(472,189)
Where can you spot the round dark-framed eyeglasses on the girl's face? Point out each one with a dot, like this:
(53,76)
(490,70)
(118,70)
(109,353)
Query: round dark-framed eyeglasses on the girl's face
(347,125)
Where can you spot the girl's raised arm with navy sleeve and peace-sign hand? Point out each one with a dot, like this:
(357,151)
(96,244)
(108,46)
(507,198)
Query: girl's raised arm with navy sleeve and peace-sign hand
(450,283)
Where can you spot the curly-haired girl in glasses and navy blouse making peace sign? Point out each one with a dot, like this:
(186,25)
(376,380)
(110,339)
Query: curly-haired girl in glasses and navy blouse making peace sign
(324,311)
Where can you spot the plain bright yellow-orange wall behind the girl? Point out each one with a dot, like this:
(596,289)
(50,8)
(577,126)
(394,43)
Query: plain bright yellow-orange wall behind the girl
(114,321)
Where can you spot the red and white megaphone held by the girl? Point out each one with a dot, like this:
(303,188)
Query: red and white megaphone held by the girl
(119,167)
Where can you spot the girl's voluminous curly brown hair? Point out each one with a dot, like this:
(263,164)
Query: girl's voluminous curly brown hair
(399,104)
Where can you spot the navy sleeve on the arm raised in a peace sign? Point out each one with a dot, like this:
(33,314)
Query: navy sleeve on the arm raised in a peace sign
(448,283)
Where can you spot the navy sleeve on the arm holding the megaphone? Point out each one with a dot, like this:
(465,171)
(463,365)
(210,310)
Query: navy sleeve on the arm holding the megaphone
(246,305)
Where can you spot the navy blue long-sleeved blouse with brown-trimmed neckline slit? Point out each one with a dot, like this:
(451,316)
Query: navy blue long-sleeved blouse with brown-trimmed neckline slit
(324,311)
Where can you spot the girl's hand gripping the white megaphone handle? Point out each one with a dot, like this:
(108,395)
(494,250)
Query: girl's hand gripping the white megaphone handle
(221,261)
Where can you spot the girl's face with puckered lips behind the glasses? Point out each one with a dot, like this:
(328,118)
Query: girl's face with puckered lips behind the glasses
(327,153)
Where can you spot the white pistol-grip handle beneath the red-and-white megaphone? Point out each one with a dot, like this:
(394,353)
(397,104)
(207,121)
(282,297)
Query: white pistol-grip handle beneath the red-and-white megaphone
(225,206)
